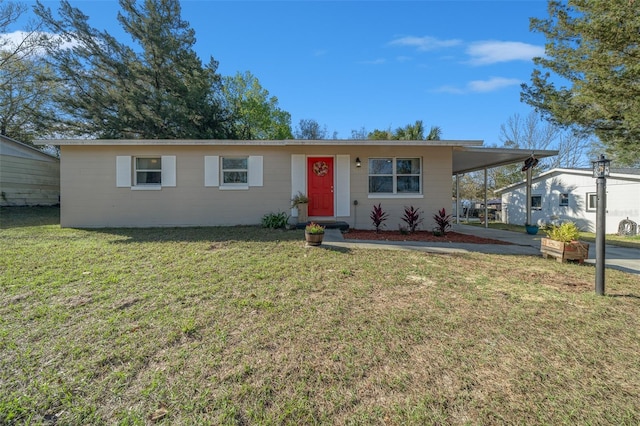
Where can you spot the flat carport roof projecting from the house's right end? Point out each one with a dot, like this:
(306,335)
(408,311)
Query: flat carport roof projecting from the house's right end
(470,159)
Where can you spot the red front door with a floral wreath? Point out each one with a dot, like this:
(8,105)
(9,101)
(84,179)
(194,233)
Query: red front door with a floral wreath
(320,185)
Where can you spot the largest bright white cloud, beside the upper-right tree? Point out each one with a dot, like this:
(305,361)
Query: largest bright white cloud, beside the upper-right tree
(491,52)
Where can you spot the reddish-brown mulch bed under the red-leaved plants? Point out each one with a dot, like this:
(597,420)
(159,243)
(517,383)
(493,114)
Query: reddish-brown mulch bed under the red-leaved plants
(427,236)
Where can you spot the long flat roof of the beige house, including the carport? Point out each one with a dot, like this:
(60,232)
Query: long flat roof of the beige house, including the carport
(468,155)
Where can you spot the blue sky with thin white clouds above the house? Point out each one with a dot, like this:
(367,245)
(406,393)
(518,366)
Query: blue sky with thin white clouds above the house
(380,64)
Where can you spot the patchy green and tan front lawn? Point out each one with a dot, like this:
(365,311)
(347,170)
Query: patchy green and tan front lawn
(245,325)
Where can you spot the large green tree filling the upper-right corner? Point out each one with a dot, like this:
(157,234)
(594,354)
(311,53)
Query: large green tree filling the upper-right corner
(594,48)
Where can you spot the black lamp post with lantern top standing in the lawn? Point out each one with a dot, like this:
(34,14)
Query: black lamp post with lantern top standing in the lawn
(600,173)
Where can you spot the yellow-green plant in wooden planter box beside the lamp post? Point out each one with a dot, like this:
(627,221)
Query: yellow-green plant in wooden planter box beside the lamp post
(562,243)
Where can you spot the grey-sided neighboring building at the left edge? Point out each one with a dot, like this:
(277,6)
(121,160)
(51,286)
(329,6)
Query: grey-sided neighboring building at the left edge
(28,176)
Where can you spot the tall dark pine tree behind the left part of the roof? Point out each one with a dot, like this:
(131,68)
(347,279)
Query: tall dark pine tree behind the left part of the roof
(158,90)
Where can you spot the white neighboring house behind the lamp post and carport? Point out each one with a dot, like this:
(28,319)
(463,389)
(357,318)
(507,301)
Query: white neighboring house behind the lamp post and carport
(570,194)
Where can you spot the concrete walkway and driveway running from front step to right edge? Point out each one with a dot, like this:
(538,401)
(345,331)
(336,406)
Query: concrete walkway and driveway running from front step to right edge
(523,244)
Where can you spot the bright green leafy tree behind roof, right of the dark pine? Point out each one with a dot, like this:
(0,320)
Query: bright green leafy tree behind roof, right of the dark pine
(255,115)
